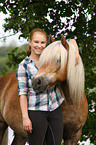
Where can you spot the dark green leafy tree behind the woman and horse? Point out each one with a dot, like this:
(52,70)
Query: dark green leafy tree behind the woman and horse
(73,18)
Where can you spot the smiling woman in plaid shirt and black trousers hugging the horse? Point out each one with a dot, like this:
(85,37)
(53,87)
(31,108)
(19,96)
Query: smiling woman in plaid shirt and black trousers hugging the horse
(39,110)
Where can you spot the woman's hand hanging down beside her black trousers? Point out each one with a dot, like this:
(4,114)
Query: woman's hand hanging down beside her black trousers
(27,125)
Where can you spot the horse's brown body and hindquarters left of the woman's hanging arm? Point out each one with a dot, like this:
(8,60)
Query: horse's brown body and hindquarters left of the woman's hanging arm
(10,112)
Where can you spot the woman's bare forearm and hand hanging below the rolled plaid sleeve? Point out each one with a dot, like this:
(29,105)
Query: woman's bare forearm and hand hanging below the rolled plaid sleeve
(27,124)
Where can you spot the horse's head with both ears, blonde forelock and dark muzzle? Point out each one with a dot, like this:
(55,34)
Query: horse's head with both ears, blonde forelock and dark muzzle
(53,65)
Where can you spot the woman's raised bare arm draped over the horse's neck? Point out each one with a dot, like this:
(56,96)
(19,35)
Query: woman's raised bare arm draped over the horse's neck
(76,52)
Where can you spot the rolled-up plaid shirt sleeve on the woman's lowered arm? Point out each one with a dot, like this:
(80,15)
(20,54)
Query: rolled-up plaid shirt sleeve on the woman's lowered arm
(22,79)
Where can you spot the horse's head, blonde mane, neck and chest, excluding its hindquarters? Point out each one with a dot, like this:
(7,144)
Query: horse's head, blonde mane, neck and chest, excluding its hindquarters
(57,66)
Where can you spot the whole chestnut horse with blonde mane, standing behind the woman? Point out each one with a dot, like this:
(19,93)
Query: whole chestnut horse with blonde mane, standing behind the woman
(74,107)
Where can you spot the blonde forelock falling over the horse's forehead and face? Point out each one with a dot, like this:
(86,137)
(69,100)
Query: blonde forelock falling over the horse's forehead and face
(53,51)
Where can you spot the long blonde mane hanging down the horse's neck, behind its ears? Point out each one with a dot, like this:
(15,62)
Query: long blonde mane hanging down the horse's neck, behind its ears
(75,75)
